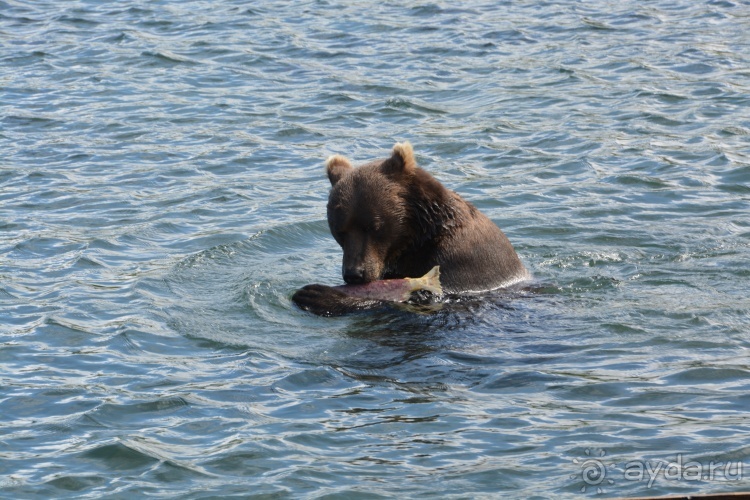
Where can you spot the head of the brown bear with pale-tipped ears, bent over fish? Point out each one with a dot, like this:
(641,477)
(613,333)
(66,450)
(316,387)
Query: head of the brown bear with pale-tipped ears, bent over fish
(380,210)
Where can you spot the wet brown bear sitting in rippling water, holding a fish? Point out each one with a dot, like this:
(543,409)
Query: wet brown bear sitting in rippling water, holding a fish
(395,220)
